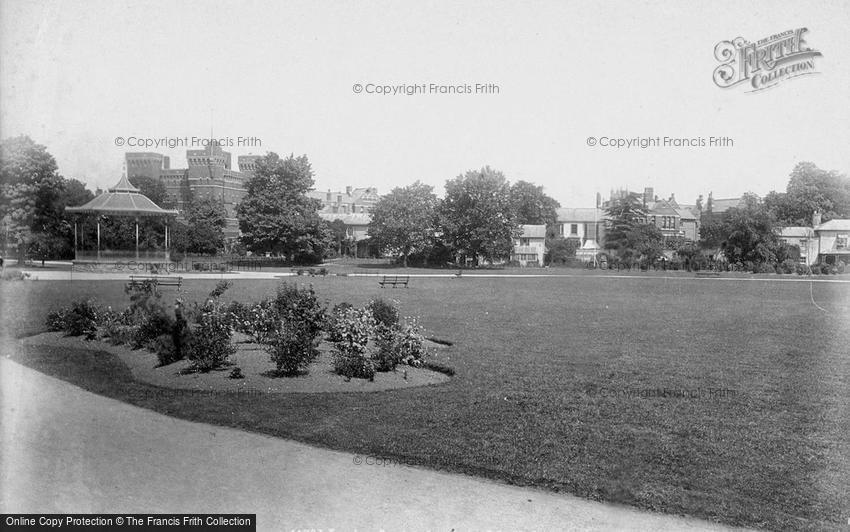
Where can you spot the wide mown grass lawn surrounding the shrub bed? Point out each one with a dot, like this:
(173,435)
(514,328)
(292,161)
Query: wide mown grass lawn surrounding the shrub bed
(555,387)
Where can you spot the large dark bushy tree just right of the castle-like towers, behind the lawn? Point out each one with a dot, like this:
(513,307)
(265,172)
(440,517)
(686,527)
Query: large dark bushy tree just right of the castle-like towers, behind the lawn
(277,216)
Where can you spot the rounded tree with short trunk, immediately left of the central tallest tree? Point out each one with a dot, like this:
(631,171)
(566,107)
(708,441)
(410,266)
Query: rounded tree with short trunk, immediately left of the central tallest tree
(403,221)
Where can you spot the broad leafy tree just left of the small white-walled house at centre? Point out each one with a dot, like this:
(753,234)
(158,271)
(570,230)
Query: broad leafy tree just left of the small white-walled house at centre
(477,218)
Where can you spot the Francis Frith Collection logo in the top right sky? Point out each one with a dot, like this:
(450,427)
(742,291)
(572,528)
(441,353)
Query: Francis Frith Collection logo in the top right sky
(765,63)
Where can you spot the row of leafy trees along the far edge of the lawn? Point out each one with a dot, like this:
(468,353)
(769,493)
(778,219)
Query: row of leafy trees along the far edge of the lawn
(477,219)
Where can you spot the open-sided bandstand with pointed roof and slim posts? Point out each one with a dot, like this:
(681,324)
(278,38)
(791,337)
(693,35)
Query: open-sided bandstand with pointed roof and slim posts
(122,200)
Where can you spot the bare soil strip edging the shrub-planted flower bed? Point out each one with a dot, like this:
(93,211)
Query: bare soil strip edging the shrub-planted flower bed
(256,367)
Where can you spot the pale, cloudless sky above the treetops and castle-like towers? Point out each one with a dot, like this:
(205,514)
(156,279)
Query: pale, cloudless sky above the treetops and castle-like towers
(76,75)
